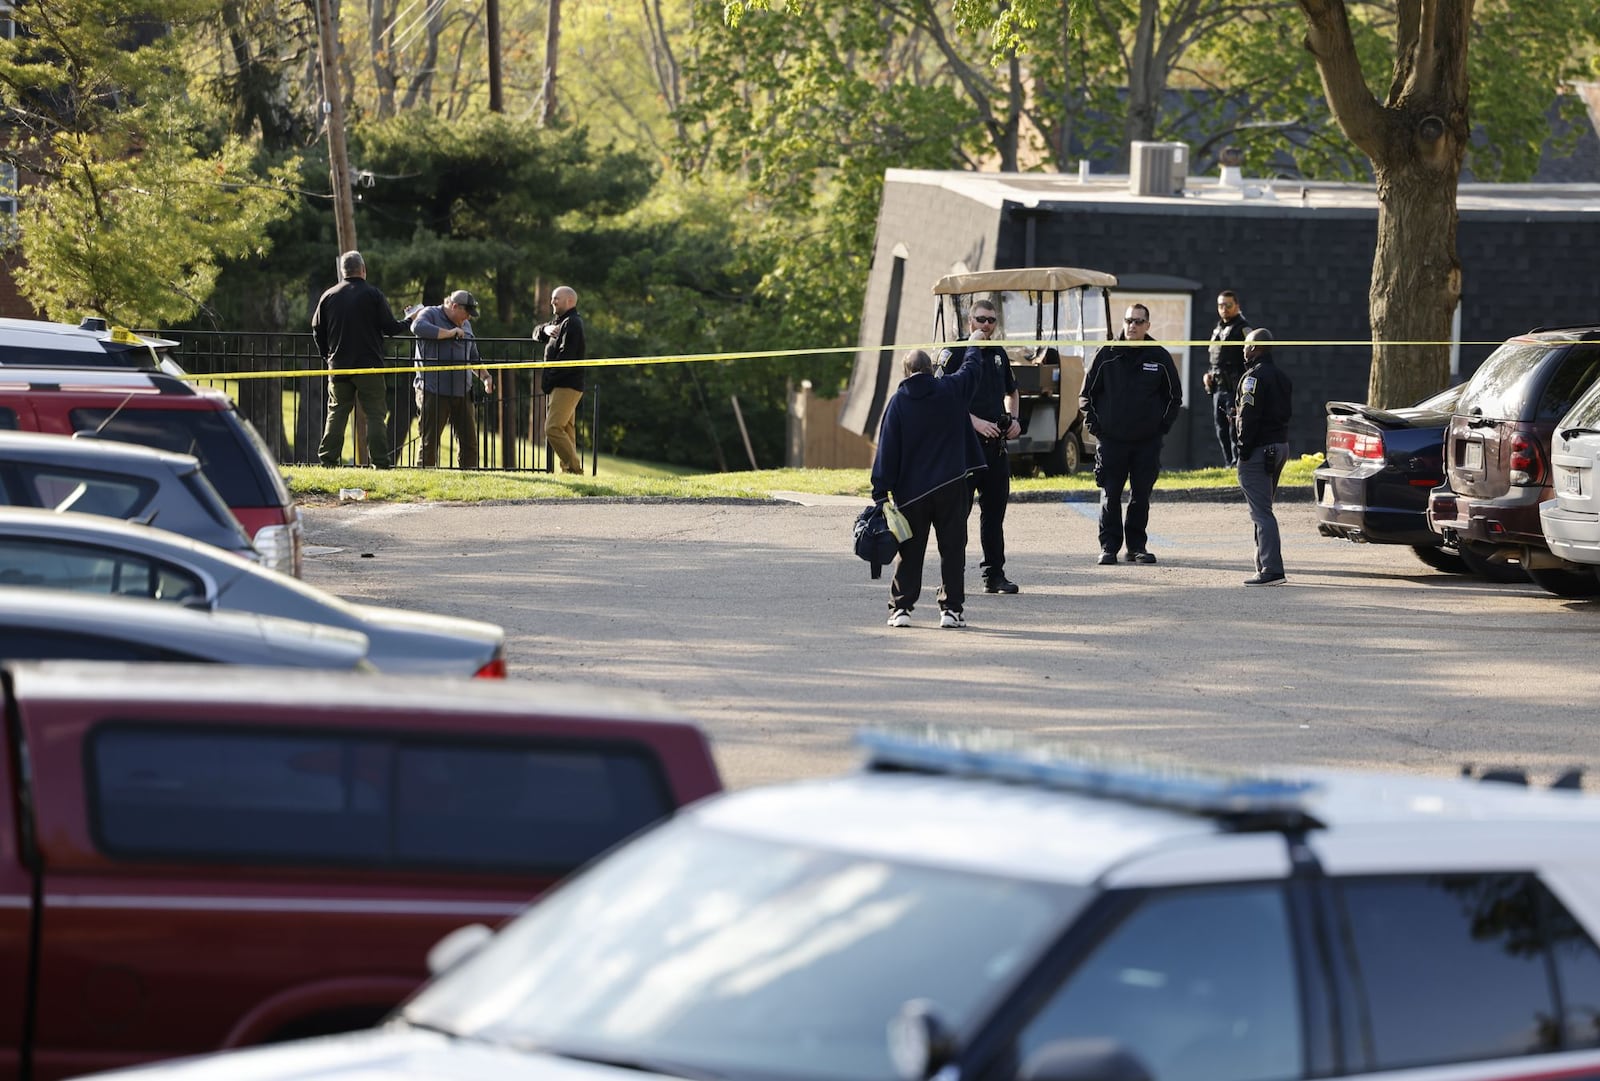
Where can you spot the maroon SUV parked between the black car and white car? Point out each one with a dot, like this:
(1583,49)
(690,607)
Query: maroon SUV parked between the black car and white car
(1498,455)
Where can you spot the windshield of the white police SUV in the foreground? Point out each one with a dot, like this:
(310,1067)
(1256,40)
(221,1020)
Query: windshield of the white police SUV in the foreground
(705,954)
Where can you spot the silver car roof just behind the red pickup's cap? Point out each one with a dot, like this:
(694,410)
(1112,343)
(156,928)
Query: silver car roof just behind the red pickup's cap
(223,636)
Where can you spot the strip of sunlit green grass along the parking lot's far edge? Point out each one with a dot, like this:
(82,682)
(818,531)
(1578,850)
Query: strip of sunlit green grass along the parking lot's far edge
(646,481)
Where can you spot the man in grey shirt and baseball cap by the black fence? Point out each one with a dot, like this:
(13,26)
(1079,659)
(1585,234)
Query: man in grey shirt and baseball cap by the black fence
(446,361)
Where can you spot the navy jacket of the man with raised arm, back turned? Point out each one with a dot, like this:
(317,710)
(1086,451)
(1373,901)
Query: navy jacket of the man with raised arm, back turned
(927,437)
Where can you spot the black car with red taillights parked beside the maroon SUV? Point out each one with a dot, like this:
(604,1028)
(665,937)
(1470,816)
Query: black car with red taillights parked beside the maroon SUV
(1378,469)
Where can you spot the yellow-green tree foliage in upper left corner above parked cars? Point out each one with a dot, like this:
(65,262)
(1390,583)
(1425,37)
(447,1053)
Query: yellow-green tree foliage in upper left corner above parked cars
(137,204)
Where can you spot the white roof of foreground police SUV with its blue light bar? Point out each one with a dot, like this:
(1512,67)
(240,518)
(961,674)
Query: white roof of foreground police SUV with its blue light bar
(1010,815)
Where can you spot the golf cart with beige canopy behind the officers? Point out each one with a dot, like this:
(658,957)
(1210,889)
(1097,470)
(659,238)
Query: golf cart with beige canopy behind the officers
(1050,313)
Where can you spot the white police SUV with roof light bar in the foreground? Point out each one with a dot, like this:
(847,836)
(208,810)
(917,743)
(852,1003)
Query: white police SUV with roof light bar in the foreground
(1020,915)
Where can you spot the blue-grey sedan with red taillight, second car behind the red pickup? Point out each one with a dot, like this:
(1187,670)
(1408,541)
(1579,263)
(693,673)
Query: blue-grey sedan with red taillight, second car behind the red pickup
(100,556)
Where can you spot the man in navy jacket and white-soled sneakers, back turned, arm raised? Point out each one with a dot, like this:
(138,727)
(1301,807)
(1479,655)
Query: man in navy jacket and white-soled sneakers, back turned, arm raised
(927,449)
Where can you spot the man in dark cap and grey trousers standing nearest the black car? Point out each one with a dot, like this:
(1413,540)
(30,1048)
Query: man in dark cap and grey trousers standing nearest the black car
(1265,410)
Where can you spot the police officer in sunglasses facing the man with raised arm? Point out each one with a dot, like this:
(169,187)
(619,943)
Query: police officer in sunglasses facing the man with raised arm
(994,410)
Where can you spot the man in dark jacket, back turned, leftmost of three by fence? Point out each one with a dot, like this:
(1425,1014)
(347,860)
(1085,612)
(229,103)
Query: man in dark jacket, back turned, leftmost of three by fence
(350,327)
